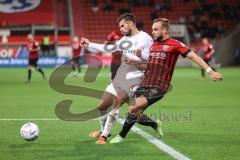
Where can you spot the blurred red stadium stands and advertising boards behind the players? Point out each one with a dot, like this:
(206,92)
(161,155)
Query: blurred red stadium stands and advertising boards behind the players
(55,22)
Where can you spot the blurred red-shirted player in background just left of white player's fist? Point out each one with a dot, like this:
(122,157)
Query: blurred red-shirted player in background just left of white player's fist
(76,58)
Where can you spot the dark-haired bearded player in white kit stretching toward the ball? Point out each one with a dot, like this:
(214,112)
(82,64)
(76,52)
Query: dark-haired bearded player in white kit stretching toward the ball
(135,45)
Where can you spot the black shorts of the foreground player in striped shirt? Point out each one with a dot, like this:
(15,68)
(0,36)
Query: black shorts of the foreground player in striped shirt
(152,94)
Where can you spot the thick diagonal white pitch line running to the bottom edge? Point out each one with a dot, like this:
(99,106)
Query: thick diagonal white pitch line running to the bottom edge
(164,147)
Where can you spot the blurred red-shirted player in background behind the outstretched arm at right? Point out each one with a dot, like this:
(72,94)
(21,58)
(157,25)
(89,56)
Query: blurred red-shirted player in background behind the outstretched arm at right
(208,50)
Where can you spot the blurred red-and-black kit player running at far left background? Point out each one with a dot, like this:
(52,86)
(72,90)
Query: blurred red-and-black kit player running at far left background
(33,48)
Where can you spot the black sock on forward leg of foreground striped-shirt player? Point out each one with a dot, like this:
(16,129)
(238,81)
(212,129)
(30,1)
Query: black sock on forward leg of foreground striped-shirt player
(129,122)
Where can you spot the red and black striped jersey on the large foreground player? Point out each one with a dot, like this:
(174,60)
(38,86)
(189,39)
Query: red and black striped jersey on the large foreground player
(162,60)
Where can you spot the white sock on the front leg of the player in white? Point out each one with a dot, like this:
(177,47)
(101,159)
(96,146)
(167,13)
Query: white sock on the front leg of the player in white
(111,120)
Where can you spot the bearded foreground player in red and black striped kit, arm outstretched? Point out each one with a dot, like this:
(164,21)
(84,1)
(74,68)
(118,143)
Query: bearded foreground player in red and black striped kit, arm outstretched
(158,74)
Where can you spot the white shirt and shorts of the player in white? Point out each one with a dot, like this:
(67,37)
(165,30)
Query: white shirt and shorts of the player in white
(128,75)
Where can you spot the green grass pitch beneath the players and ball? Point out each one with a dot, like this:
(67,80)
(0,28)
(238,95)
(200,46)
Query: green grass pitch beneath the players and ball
(201,119)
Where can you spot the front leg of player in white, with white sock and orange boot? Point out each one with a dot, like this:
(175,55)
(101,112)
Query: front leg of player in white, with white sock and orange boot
(113,116)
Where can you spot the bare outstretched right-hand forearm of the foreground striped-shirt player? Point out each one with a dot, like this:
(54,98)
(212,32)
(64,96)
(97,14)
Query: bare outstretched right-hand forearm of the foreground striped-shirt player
(200,62)
